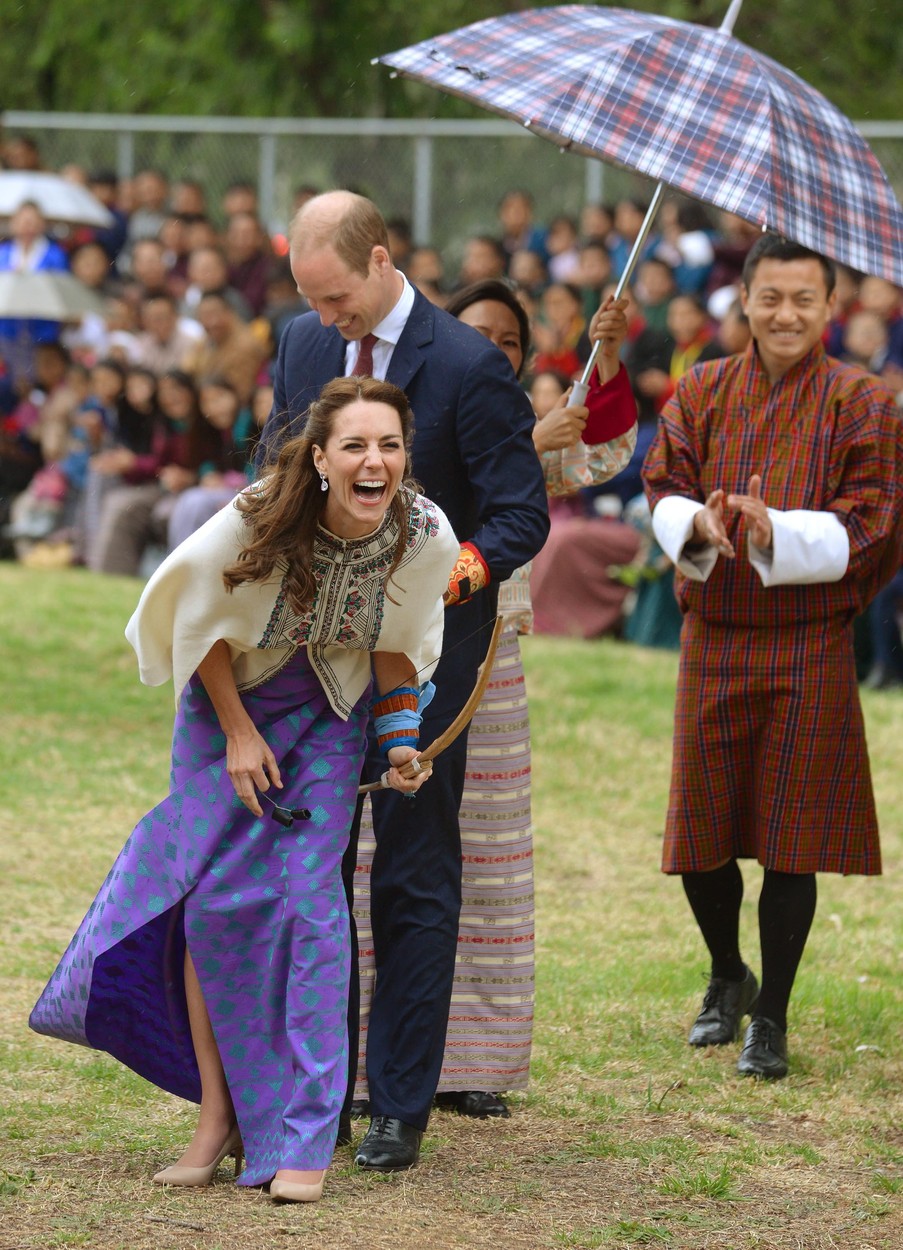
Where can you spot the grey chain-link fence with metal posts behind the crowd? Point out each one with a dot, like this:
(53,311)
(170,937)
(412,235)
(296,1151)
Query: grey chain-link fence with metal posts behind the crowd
(445,177)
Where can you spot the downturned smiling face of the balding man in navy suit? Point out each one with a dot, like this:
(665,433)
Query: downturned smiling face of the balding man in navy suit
(352,302)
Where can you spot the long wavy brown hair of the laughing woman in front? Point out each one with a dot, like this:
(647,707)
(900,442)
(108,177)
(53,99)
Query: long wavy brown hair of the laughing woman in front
(283,514)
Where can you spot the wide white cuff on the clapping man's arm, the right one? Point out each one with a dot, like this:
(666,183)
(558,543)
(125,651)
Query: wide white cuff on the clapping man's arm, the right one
(806,548)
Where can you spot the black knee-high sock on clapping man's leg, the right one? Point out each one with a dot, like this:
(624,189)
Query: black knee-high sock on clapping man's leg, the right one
(787,907)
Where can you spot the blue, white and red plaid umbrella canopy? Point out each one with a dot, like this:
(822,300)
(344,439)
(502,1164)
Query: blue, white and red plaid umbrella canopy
(687,106)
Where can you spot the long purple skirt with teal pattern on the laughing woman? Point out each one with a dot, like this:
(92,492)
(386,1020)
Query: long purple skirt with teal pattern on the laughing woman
(265,916)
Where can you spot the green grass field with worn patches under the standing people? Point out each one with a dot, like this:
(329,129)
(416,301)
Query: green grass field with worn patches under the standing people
(627,1138)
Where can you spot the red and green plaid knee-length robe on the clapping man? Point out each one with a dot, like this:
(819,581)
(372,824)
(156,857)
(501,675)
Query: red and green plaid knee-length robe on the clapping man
(770,748)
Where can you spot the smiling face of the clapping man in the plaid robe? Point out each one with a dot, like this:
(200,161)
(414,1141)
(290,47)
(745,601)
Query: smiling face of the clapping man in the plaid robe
(789,308)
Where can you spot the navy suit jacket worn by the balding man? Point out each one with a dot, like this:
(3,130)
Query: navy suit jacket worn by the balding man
(473,426)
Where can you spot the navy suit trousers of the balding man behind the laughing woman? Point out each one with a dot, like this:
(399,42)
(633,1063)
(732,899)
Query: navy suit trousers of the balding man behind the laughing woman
(416,893)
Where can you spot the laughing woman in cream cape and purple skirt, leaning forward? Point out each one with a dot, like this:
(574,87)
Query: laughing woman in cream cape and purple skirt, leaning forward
(216,959)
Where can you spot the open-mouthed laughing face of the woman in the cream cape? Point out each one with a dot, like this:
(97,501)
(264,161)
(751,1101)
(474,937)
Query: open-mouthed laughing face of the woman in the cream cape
(365,461)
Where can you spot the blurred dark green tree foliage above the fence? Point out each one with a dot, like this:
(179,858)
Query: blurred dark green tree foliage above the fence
(312,58)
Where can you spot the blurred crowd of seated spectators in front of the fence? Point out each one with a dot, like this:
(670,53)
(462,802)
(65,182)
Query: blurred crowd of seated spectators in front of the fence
(122,432)
